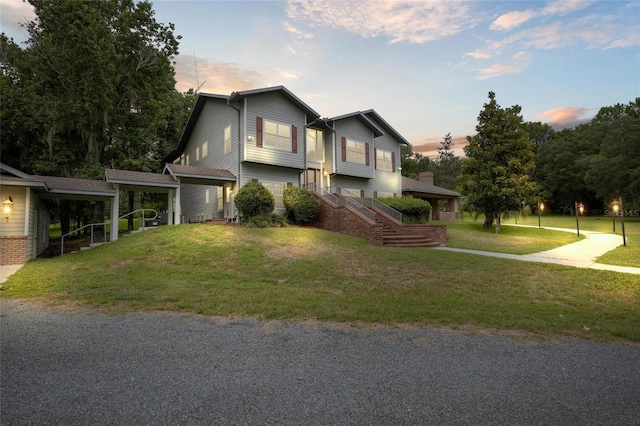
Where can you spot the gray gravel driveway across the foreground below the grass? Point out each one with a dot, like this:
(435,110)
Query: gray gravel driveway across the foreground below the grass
(69,368)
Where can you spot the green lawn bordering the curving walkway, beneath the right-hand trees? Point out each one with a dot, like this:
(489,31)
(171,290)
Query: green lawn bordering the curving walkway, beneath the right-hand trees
(520,240)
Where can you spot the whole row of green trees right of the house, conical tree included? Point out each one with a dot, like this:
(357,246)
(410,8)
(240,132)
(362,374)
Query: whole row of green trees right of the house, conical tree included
(512,165)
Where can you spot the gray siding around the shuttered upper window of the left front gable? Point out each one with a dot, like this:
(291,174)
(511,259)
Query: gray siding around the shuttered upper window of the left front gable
(274,107)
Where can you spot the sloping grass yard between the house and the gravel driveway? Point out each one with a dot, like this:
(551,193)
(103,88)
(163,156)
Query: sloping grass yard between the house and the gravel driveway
(300,273)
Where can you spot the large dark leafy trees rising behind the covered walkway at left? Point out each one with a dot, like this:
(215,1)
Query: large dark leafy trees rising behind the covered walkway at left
(92,88)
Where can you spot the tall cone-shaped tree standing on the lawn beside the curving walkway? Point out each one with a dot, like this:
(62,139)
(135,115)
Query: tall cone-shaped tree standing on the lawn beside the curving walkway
(500,162)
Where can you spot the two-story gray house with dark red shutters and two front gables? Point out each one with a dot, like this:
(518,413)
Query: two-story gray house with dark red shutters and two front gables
(271,136)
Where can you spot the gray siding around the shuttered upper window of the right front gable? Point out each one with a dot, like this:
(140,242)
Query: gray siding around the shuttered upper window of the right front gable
(352,128)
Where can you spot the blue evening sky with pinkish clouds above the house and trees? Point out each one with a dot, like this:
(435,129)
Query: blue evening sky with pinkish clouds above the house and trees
(425,66)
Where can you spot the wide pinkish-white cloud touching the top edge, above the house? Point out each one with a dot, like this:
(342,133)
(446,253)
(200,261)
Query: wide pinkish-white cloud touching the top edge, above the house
(415,22)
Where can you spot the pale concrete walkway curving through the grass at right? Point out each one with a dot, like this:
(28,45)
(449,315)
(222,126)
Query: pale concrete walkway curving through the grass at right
(581,254)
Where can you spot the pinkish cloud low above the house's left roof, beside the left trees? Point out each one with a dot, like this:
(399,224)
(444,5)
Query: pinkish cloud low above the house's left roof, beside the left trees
(215,77)
